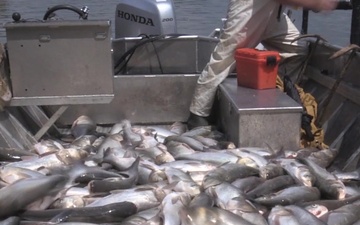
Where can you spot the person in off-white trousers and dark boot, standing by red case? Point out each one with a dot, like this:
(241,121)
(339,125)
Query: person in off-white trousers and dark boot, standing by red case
(250,22)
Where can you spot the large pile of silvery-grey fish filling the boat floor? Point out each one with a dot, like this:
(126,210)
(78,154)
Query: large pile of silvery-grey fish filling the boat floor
(132,175)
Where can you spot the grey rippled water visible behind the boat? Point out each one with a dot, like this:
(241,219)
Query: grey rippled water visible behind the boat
(193,16)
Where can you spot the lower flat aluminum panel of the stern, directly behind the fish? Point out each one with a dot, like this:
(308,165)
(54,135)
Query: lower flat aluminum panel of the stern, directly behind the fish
(142,99)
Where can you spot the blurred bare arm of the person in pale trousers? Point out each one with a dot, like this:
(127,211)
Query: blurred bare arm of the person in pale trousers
(318,5)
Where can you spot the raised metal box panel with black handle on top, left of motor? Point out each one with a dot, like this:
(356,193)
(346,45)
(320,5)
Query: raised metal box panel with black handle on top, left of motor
(60,62)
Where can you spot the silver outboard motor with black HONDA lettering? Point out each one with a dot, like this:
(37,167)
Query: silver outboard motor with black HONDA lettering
(150,17)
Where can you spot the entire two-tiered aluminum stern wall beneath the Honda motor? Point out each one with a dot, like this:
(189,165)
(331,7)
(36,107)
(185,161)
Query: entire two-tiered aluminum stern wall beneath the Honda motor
(146,94)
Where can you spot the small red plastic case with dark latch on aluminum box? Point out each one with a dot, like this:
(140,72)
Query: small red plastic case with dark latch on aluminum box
(256,69)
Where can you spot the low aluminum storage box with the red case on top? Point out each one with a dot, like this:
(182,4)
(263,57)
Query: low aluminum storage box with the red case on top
(259,118)
